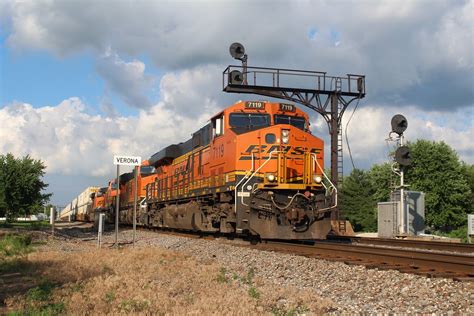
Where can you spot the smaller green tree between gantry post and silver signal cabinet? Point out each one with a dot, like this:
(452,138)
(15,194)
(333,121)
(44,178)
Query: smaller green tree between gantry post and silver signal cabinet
(357,201)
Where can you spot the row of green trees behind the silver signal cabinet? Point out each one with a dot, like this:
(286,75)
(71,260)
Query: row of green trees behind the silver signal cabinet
(448,184)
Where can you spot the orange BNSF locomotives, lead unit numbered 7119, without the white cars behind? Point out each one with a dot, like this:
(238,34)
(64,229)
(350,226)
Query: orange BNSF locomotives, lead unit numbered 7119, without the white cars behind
(255,169)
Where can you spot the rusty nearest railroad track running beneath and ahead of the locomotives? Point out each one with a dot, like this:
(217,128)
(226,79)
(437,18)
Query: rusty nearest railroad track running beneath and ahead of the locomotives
(427,258)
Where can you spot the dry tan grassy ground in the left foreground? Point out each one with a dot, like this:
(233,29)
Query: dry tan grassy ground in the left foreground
(73,276)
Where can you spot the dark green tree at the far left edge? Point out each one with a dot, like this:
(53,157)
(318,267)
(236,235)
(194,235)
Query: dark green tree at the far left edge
(21,186)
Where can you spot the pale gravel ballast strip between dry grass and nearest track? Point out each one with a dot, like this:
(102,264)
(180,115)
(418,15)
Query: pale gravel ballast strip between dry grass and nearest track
(352,288)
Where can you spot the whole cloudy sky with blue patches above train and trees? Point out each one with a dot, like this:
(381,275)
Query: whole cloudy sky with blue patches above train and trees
(83,80)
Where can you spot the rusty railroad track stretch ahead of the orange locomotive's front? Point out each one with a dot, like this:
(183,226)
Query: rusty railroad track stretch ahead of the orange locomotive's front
(457,266)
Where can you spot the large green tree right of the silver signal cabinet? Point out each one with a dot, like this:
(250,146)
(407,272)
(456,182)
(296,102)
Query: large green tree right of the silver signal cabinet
(437,171)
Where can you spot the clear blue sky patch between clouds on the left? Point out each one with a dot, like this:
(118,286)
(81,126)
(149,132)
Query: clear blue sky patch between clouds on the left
(43,79)
